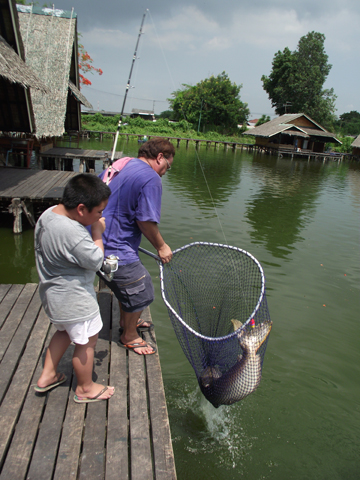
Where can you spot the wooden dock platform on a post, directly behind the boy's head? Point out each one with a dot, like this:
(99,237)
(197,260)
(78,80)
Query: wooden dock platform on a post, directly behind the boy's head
(30,192)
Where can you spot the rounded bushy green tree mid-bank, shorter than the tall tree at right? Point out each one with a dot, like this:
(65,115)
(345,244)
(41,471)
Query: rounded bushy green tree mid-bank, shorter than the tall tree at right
(212,104)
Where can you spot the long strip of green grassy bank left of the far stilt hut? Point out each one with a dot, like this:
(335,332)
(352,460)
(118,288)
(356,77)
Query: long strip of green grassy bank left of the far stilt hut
(162,127)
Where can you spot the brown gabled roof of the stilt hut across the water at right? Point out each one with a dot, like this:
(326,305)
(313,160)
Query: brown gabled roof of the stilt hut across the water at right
(286,124)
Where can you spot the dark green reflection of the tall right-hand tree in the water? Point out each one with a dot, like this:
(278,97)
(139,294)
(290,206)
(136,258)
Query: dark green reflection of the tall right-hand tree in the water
(284,202)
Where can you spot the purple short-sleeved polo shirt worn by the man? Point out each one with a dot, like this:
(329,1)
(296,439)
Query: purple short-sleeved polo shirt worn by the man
(135,195)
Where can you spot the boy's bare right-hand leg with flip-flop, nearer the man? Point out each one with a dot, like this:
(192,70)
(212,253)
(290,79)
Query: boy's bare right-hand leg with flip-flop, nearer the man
(83,362)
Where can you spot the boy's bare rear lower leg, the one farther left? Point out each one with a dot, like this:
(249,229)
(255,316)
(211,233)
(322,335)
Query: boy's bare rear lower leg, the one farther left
(57,347)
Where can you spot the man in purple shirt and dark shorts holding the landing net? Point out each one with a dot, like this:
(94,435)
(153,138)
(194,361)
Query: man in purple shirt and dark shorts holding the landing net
(134,208)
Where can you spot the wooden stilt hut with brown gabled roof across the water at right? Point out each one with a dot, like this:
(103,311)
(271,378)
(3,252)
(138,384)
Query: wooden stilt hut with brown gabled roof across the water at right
(297,132)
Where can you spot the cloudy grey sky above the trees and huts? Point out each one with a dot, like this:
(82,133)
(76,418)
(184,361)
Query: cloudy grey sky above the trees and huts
(187,41)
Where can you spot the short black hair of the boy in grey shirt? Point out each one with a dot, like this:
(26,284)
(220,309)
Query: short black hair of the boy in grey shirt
(85,188)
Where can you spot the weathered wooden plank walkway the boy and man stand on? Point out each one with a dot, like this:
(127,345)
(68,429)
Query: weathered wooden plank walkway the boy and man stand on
(49,436)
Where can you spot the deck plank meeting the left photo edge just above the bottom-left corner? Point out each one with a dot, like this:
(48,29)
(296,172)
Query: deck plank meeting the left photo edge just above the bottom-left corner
(14,399)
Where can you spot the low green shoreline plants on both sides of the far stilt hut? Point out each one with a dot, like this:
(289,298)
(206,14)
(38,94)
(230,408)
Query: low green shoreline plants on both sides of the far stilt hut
(182,129)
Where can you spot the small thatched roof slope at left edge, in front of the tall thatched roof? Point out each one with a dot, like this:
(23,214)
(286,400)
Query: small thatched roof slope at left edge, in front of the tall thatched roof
(15,70)
